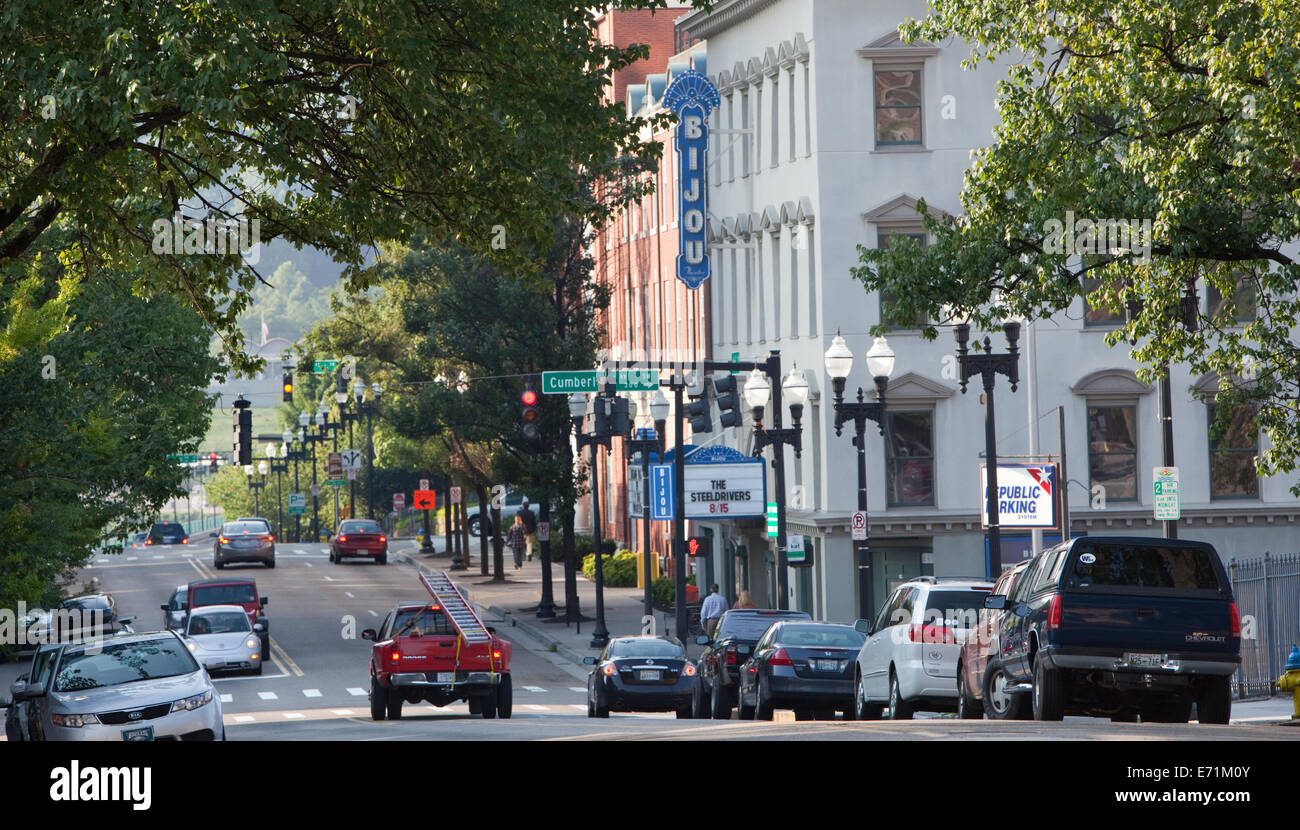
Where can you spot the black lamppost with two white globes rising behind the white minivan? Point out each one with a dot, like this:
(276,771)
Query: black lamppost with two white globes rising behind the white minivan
(881,362)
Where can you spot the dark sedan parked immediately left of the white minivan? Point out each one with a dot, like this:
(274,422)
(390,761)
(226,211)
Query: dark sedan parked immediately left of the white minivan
(807,667)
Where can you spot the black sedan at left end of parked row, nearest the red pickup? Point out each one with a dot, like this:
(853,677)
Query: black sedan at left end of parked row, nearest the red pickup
(640,675)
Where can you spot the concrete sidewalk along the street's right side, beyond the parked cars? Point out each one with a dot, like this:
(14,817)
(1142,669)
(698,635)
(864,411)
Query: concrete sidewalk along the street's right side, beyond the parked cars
(515,602)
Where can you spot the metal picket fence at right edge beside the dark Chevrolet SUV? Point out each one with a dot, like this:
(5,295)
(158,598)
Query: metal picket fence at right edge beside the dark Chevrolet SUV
(1268,596)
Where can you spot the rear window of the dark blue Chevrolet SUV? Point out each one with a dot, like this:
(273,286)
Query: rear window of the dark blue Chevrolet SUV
(1145,567)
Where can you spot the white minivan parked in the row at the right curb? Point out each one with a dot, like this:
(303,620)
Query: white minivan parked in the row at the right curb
(909,660)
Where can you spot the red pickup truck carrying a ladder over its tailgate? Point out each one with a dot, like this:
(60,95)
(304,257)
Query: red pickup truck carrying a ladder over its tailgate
(439,652)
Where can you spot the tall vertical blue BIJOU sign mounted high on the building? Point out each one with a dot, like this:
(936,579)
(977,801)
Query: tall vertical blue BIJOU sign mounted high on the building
(692,97)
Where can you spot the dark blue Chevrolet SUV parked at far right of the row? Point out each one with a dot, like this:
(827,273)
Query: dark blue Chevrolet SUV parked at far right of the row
(1123,628)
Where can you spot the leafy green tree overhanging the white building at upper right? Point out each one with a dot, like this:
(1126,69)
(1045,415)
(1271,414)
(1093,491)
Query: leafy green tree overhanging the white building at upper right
(1181,114)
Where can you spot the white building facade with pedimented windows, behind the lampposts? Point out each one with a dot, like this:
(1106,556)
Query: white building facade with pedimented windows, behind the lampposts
(848,128)
